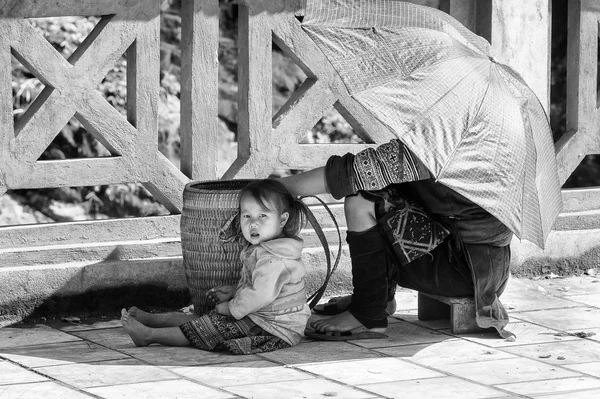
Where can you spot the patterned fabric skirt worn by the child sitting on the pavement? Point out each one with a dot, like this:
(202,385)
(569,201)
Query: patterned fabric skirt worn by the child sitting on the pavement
(214,332)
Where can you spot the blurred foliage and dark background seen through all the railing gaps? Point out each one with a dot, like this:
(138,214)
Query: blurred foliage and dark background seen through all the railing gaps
(125,200)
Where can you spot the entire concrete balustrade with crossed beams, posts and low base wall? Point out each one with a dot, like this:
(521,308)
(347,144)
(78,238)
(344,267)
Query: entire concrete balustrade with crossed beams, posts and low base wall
(38,262)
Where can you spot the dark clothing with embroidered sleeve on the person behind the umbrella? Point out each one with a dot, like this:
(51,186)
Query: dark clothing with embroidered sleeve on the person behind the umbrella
(444,245)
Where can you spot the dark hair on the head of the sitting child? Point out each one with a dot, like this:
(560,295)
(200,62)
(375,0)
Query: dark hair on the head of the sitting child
(269,193)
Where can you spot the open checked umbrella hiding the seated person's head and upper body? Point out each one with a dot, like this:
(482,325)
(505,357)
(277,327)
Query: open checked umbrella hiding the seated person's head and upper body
(472,121)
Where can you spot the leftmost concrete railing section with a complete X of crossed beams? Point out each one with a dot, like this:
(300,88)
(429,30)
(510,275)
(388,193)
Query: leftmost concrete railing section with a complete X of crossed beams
(127,27)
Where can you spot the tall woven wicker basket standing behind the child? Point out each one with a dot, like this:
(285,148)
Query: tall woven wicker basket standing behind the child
(209,261)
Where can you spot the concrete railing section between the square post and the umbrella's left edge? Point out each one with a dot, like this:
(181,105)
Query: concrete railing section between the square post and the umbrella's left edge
(273,143)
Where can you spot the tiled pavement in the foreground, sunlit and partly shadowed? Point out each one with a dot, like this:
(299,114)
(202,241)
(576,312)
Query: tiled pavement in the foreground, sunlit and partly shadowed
(418,360)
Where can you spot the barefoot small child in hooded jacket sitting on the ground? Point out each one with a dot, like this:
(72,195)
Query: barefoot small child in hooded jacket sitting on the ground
(267,310)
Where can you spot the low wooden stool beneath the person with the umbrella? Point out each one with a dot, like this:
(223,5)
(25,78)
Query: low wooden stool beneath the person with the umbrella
(460,311)
